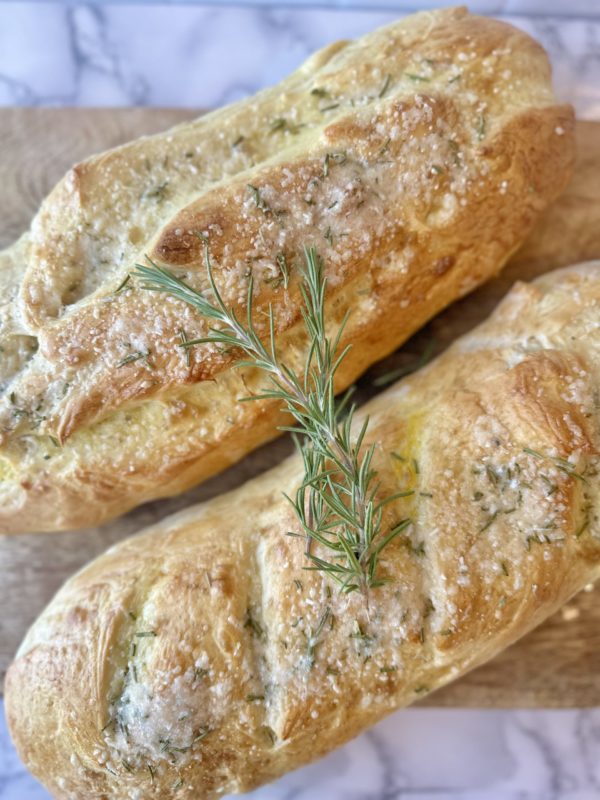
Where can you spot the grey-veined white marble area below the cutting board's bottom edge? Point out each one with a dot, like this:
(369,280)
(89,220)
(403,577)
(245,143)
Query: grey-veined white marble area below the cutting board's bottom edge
(429,754)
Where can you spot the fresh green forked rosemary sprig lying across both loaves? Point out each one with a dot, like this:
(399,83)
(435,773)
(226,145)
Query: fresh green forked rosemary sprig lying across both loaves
(336,504)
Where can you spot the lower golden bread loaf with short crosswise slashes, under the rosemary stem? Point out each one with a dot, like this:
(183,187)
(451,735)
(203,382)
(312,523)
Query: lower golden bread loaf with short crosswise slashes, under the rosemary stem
(184,663)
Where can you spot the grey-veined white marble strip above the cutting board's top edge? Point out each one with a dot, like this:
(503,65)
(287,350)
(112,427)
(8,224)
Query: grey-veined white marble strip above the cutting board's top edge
(206,56)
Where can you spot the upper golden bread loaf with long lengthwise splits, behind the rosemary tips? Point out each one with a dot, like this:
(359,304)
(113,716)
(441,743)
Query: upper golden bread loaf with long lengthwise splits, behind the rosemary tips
(416,159)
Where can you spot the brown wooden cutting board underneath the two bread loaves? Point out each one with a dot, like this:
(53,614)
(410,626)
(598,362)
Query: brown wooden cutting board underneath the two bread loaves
(559,663)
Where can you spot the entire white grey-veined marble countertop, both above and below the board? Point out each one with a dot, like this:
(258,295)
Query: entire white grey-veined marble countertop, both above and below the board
(206,55)
